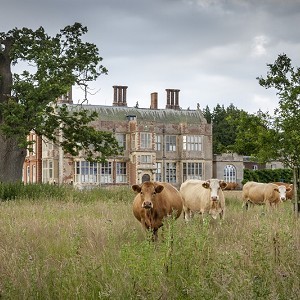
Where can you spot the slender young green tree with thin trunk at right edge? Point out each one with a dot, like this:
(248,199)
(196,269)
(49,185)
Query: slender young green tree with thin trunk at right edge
(286,80)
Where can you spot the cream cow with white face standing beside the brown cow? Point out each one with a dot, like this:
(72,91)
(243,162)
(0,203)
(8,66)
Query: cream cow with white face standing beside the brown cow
(203,197)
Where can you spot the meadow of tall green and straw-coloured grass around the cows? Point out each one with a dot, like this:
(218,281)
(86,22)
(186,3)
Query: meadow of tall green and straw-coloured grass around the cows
(58,243)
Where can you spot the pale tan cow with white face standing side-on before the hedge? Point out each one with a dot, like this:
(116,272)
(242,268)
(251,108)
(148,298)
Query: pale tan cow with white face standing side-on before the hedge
(263,193)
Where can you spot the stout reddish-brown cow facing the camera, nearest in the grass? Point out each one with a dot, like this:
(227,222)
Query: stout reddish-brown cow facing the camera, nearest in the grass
(154,202)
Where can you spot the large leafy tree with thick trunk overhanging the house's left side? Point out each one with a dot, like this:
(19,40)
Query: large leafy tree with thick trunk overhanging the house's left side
(28,100)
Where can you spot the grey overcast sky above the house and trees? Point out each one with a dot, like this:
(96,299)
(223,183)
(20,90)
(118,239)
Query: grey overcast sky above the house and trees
(212,50)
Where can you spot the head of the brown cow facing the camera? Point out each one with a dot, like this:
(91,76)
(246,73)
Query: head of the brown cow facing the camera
(148,191)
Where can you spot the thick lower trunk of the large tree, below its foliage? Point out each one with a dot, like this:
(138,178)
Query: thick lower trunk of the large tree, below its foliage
(11,160)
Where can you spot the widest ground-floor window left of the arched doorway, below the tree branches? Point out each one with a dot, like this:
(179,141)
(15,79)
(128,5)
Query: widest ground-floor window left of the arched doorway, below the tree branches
(86,172)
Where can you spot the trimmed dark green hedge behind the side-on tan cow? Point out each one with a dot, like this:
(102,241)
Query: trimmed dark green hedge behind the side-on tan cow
(268,175)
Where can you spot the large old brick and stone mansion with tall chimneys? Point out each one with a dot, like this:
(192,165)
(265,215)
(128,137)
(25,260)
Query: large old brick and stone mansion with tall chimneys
(170,144)
